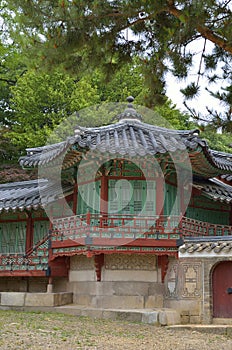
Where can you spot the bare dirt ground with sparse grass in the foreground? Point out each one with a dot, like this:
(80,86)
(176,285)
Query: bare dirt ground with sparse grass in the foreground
(30,330)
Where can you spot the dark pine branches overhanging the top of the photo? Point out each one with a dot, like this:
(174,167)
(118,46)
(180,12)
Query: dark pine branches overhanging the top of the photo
(81,36)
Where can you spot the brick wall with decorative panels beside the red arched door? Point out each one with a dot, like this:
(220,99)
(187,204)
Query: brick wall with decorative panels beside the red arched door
(188,288)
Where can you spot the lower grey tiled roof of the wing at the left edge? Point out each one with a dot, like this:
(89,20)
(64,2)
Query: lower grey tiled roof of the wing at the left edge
(28,194)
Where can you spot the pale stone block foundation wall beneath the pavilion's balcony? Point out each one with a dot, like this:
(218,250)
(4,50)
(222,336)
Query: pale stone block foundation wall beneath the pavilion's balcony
(127,282)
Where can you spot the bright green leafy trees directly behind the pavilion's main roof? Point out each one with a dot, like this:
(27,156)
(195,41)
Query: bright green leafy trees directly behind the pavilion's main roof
(45,104)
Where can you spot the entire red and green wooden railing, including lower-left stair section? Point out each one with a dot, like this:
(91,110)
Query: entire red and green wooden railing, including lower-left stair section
(109,230)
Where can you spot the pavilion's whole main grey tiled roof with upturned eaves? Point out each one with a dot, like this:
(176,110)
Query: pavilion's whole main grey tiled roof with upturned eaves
(130,137)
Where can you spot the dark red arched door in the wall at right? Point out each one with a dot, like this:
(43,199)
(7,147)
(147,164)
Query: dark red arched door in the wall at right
(222,290)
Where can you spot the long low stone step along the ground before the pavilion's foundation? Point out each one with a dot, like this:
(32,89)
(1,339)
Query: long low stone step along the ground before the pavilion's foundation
(163,316)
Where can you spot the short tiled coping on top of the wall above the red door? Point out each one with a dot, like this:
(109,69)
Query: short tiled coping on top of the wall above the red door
(207,245)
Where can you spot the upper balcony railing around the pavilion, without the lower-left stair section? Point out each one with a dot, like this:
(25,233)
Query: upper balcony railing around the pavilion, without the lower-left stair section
(134,227)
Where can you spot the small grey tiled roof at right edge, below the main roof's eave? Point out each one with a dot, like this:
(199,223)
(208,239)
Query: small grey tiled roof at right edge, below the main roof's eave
(215,189)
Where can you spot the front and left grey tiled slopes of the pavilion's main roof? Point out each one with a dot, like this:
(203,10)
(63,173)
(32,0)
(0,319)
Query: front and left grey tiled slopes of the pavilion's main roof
(128,137)
